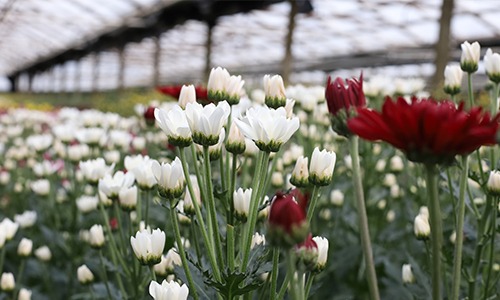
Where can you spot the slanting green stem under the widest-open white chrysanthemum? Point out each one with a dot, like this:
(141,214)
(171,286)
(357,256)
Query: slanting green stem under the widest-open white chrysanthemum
(260,166)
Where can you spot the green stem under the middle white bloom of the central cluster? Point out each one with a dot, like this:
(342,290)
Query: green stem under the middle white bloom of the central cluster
(212,213)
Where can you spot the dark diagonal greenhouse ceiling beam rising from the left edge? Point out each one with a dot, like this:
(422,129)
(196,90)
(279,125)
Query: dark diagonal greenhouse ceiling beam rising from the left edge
(149,25)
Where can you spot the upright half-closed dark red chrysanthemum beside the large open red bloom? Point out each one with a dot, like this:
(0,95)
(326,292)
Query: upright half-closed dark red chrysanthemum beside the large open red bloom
(341,97)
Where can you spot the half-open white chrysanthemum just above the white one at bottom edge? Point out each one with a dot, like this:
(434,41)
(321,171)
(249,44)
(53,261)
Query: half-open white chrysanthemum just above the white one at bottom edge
(148,246)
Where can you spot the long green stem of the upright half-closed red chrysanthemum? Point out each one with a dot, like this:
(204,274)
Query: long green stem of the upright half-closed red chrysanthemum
(363,220)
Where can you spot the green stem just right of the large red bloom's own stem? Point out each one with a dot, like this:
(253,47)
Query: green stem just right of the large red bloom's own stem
(457,266)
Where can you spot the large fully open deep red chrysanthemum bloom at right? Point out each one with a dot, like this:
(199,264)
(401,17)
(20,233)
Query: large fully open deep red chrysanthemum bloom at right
(427,131)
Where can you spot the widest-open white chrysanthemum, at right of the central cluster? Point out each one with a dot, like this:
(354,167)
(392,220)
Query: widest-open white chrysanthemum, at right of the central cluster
(268,128)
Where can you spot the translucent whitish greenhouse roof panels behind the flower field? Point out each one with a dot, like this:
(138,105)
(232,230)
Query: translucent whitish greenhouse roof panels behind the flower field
(337,34)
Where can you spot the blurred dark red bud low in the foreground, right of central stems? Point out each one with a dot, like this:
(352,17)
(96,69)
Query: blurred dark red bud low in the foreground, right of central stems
(287,223)
